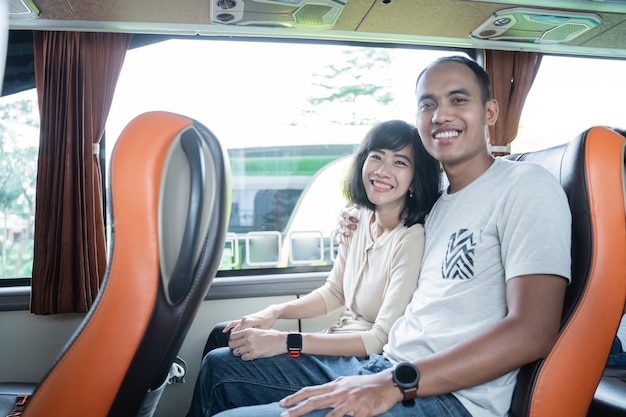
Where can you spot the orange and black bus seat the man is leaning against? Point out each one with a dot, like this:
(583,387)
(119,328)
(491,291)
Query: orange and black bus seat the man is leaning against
(591,170)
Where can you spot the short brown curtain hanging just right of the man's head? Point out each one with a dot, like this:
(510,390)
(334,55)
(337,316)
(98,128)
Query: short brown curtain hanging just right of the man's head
(512,75)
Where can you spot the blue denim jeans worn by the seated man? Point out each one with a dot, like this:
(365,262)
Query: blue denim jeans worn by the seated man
(226,382)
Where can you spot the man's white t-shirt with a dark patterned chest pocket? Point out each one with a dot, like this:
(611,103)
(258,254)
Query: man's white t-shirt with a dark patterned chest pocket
(513,220)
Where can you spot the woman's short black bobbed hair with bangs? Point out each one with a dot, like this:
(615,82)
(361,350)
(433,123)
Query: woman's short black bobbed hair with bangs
(395,135)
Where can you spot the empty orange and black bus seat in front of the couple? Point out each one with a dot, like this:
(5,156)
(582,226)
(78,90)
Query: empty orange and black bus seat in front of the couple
(169,201)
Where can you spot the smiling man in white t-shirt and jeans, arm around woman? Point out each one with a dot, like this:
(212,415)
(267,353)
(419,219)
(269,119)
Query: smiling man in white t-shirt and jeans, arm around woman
(491,286)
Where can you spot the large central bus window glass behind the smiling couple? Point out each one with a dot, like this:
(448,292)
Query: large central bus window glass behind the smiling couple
(290,115)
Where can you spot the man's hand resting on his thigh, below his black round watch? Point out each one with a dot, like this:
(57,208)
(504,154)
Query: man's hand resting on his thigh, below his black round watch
(357,396)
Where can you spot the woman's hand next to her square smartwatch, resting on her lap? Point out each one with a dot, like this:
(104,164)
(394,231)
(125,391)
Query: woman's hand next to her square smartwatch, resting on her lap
(252,344)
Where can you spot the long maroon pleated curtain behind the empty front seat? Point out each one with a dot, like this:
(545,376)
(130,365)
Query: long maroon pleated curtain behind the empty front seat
(75,73)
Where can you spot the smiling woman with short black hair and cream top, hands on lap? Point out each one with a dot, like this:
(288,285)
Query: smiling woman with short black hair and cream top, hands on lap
(395,182)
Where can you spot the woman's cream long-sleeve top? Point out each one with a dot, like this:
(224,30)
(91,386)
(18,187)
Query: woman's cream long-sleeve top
(373,280)
